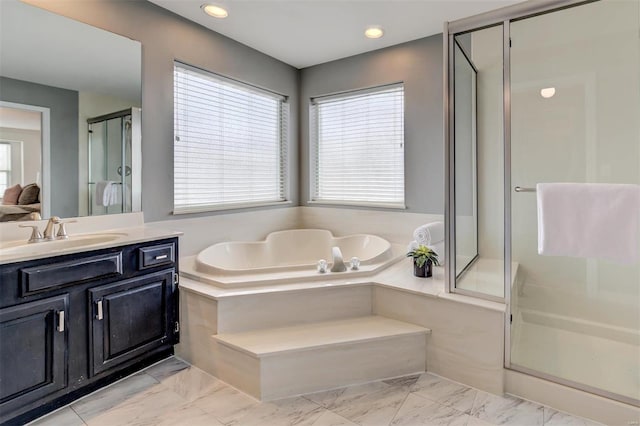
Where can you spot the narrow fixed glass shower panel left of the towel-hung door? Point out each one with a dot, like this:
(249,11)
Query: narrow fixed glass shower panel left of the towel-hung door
(479,162)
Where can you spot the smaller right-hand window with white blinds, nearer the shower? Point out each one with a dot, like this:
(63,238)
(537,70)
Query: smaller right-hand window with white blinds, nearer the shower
(358,141)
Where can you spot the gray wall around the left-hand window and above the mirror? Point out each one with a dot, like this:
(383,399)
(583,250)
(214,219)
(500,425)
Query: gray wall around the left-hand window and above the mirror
(165,37)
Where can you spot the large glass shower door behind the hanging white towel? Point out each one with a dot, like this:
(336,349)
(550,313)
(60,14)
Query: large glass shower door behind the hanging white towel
(575,103)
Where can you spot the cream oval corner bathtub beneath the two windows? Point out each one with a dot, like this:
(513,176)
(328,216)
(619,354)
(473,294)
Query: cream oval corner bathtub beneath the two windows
(288,256)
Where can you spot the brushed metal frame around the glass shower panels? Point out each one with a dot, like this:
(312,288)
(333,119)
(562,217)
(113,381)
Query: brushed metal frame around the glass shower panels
(503,16)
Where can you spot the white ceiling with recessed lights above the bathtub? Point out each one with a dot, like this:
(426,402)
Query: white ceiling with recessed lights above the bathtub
(303,33)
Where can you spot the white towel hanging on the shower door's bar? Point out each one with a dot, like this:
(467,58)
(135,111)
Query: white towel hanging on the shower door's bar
(589,220)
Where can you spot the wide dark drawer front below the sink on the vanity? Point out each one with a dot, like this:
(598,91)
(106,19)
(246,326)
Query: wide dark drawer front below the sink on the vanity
(38,278)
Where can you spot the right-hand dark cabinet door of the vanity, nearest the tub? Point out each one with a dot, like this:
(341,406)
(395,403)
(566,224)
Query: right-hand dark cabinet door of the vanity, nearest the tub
(131,318)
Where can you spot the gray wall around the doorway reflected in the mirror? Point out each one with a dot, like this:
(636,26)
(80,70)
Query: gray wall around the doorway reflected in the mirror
(63,105)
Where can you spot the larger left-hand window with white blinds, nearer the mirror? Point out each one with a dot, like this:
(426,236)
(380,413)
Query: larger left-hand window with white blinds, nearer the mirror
(230,147)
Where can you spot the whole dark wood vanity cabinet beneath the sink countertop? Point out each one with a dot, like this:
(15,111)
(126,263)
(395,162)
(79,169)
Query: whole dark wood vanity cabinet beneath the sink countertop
(71,324)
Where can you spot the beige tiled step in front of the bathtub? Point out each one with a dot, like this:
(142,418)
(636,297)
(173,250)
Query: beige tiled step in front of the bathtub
(279,362)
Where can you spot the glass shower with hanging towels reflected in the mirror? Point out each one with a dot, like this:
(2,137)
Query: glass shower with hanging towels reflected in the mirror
(114,178)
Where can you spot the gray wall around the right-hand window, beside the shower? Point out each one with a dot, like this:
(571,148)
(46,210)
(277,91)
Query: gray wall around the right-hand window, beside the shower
(419,65)
